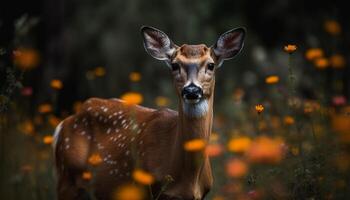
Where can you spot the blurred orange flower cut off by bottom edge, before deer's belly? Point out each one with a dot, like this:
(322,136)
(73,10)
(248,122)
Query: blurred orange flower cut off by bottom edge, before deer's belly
(129,192)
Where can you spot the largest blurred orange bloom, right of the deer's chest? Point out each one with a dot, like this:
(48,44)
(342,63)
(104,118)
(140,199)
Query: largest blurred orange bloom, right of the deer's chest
(265,150)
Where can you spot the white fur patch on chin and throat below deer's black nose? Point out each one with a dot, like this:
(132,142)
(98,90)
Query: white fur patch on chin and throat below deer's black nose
(195,108)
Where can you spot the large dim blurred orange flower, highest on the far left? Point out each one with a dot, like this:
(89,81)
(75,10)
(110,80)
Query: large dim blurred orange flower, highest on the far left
(26,58)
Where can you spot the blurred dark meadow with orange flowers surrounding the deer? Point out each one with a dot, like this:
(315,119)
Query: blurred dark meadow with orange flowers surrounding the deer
(54,54)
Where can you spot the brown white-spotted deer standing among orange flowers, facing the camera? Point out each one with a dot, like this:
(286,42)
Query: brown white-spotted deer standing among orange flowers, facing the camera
(119,131)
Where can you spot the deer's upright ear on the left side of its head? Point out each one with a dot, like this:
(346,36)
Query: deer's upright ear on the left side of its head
(157,43)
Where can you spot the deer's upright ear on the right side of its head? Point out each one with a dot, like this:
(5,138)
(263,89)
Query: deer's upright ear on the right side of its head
(229,44)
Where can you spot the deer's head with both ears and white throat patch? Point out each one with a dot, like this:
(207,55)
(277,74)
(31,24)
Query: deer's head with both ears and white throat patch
(193,66)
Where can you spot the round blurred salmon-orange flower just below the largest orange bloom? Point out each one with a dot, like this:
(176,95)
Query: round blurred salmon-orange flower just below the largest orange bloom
(236,168)
